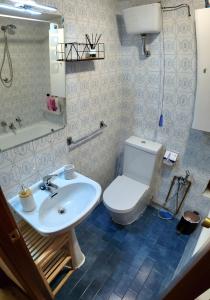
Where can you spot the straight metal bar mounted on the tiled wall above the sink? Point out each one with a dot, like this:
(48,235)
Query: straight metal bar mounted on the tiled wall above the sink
(74,144)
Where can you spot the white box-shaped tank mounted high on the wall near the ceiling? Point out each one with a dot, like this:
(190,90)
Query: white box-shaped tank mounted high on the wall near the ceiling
(143,19)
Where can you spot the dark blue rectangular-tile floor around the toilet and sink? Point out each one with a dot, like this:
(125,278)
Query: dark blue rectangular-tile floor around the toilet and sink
(131,262)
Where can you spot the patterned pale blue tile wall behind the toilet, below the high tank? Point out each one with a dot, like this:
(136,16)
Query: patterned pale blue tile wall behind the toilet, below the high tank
(179,97)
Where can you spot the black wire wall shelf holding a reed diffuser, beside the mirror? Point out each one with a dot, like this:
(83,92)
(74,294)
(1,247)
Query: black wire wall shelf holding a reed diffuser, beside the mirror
(70,52)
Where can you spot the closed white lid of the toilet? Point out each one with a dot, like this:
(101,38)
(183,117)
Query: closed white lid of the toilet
(123,194)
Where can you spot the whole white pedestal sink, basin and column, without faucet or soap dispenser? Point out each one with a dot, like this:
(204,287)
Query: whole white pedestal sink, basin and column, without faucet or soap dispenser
(56,213)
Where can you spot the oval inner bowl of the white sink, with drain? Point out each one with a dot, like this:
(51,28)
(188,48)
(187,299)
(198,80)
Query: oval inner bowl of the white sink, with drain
(67,206)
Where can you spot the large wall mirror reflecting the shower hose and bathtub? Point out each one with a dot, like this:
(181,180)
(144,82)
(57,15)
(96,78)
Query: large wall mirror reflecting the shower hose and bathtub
(32,81)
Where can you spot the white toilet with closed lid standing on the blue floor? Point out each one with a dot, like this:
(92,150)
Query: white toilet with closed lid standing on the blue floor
(128,195)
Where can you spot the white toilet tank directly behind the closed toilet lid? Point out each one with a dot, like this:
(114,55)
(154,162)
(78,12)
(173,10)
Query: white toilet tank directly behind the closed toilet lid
(140,159)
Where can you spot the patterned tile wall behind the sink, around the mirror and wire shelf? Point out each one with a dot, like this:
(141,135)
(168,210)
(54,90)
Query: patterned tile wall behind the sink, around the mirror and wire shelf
(94,93)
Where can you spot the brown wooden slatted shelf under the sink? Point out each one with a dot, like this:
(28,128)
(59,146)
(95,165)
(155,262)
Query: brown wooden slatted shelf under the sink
(50,254)
